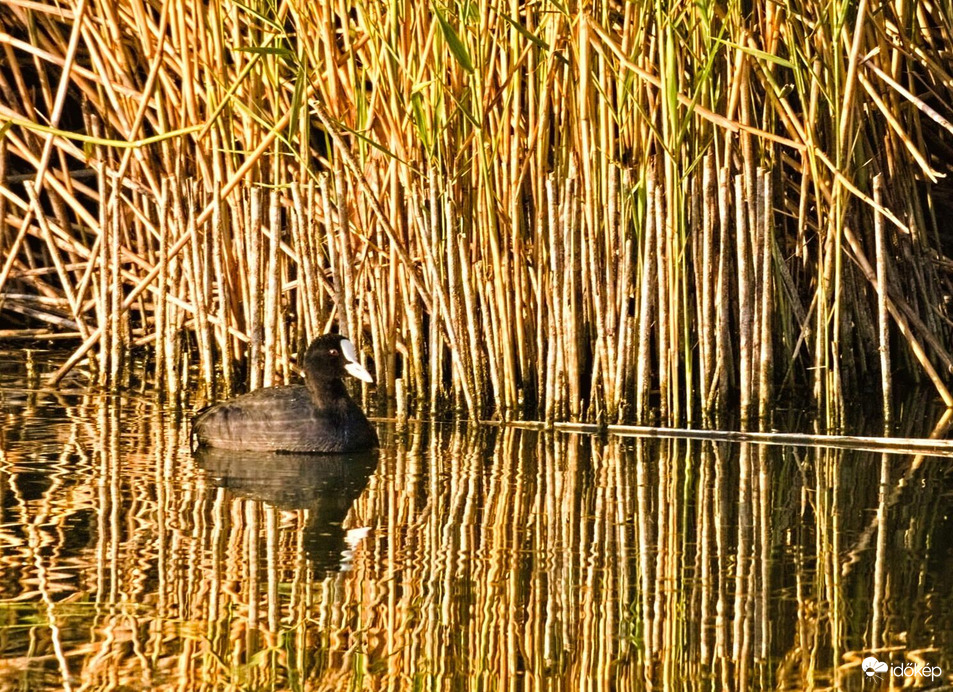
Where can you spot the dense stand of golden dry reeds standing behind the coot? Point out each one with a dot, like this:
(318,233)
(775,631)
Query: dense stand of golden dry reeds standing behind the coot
(630,212)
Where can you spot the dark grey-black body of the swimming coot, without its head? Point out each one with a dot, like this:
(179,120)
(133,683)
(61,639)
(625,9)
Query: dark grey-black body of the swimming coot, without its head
(284,419)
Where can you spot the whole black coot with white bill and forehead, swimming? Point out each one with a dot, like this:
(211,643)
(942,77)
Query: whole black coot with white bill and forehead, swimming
(316,417)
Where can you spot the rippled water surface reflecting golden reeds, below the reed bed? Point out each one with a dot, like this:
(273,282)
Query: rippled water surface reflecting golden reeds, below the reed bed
(457,558)
